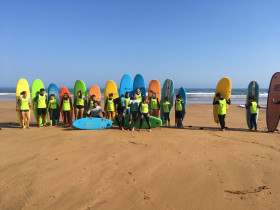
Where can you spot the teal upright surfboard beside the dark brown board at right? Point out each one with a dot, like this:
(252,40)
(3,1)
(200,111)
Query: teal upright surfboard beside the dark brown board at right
(252,90)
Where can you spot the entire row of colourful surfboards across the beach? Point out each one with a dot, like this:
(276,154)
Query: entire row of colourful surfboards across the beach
(127,85)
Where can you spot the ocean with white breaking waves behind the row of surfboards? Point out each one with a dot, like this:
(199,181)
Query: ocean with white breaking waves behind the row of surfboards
(194,95)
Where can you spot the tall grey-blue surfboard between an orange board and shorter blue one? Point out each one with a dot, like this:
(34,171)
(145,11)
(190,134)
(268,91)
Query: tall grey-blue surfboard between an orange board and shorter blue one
(167,91)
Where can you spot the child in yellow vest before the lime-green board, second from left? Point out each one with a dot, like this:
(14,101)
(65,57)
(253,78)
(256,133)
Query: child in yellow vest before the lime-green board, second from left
(41,99)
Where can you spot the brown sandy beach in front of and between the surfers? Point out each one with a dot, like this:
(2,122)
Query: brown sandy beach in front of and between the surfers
(58,168)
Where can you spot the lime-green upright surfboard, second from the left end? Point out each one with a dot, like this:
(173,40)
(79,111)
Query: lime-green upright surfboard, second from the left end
(35,90)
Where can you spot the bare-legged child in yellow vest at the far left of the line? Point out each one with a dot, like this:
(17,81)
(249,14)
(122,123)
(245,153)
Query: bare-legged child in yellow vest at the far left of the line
(24,105)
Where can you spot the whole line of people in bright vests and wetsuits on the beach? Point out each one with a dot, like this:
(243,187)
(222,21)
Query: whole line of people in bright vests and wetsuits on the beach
(138,106)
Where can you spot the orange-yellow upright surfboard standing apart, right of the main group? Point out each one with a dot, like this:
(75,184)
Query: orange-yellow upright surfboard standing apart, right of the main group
(223,87)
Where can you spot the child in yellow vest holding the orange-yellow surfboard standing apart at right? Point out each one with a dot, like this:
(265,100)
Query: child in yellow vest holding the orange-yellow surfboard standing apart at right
(222,109)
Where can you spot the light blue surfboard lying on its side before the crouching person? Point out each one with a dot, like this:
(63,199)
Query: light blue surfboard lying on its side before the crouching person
(92,124)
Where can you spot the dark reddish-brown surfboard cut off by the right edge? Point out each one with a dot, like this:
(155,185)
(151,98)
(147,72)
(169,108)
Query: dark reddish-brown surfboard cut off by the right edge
(273,109)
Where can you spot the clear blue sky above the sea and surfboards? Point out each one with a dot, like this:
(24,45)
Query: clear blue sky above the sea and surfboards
(194,42)
